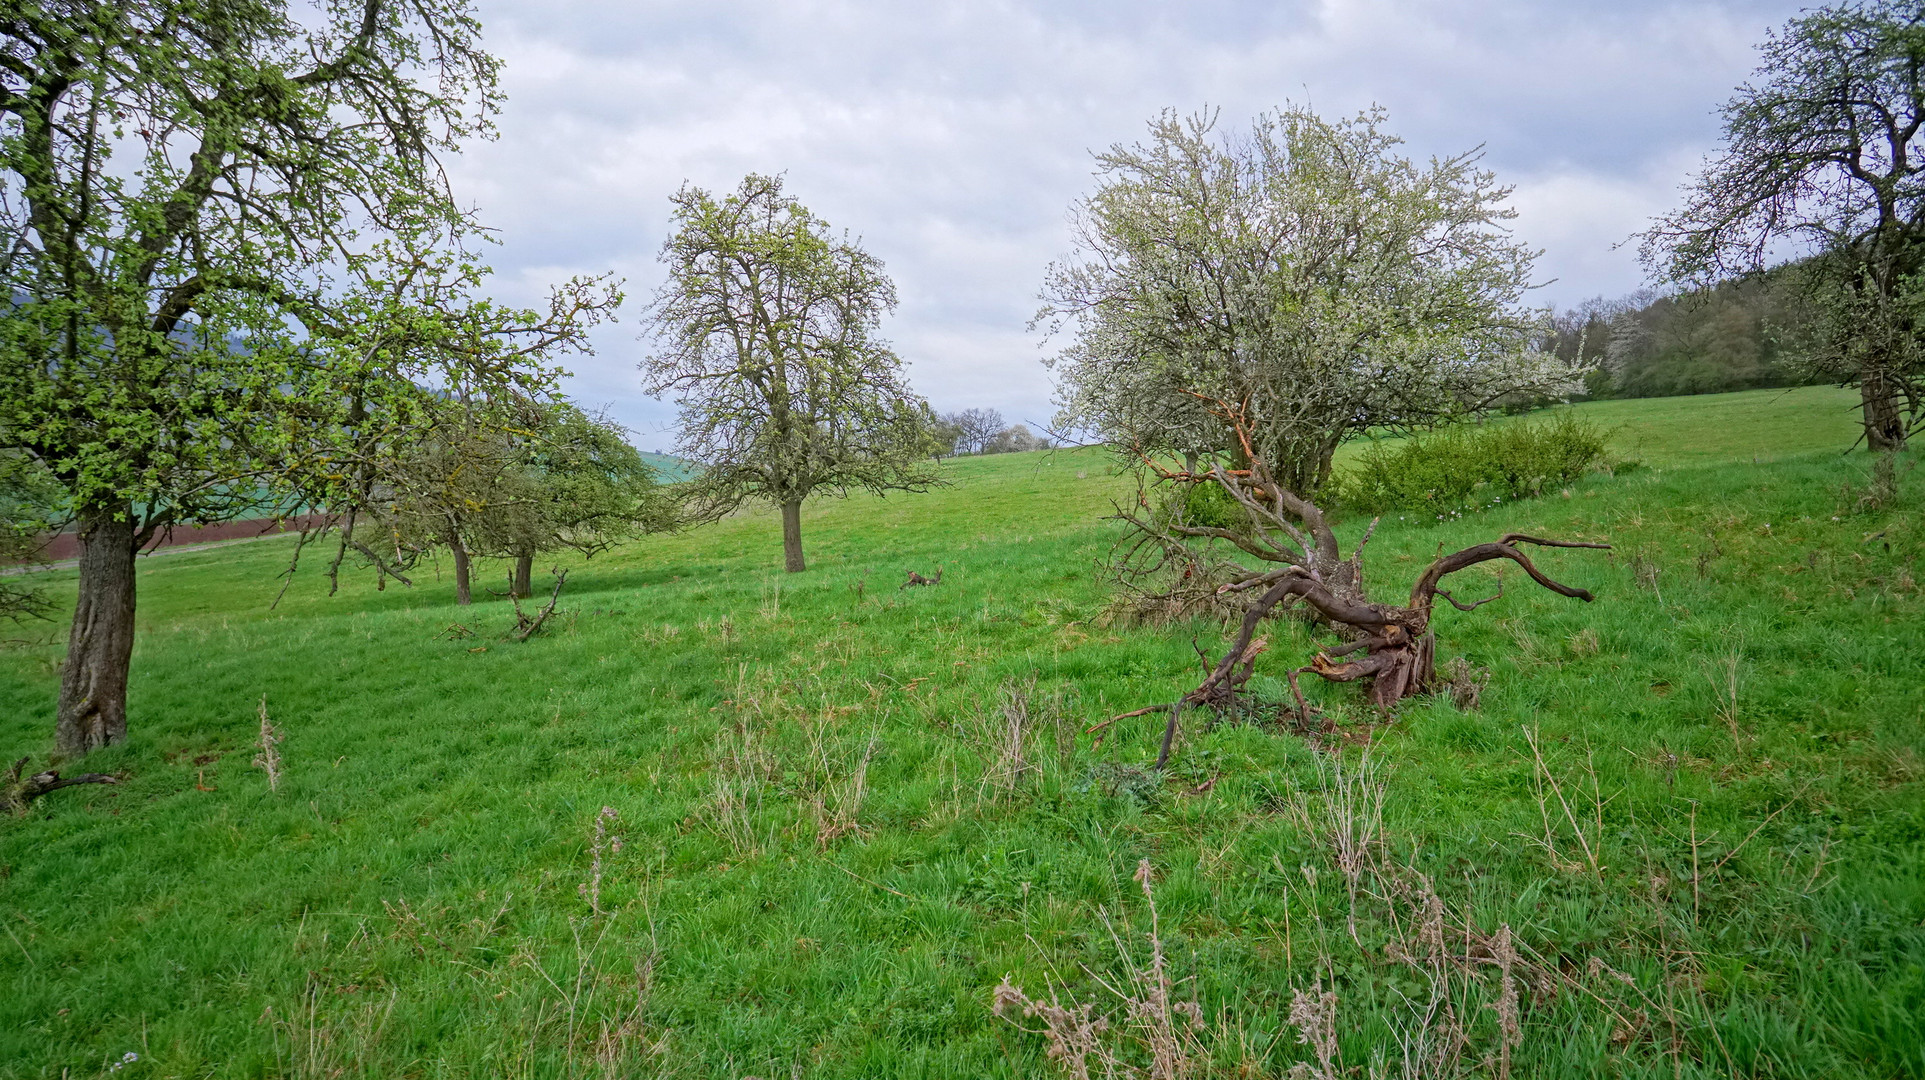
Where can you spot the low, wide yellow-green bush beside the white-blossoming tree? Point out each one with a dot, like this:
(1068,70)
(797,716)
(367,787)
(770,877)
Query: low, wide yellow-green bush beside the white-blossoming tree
(1474,467)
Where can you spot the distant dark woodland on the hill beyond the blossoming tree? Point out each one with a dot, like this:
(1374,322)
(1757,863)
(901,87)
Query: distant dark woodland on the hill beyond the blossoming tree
(1733,338)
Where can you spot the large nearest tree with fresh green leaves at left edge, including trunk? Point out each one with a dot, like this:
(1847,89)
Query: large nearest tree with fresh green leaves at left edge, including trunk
(230,255)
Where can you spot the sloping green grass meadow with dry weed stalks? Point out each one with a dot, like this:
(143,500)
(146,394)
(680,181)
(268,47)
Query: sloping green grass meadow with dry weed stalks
(1695,810)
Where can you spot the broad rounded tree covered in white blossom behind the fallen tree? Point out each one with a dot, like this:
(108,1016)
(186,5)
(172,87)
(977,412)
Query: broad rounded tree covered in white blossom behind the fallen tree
(1302,270)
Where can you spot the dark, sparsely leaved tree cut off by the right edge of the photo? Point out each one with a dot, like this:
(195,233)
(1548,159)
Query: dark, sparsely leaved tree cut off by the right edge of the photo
(1822,163)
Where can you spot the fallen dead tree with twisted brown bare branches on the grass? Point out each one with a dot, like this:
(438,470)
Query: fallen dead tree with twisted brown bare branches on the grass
(1306,573)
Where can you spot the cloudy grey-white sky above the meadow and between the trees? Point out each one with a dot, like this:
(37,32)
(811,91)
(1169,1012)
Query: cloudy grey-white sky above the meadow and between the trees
(954,138)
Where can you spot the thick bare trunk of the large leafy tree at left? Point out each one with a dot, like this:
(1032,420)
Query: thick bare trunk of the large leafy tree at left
(93,684)
